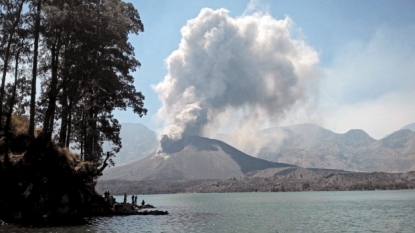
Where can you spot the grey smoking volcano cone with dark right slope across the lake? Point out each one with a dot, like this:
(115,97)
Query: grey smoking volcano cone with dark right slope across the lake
(192,158)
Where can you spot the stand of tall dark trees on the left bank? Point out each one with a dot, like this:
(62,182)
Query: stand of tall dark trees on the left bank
(79,52)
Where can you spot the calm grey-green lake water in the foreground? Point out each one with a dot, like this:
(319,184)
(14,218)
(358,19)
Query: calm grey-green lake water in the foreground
(358,211)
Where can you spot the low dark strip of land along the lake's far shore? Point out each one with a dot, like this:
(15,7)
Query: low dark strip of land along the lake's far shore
(292,179)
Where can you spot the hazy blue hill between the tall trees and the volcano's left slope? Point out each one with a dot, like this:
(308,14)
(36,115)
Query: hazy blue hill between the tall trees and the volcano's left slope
(137,142)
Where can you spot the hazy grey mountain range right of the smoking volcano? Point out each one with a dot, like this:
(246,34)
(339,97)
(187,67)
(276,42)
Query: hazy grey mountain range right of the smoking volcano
(312,146)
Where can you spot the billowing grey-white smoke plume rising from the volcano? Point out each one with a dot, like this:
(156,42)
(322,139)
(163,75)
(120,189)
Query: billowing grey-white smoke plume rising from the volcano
(233,75)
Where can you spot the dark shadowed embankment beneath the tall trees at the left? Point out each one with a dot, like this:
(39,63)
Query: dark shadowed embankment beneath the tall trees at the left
(42,183)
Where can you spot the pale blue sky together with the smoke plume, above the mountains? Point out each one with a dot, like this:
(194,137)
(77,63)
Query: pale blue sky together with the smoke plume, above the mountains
(338,64)
